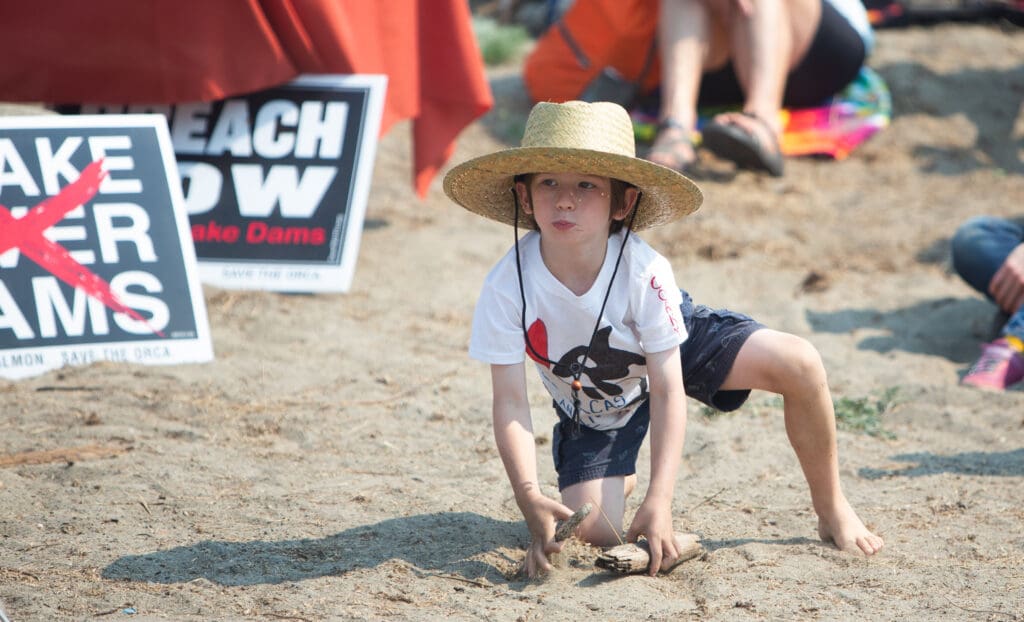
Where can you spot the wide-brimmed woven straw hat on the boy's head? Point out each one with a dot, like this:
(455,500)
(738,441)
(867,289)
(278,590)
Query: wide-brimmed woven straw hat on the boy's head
(576,137)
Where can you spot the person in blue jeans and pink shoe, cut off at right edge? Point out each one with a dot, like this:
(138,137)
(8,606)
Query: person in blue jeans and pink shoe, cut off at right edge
(989,255)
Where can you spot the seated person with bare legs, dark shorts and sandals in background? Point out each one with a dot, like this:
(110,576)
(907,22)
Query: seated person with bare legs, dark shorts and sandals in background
(759,55)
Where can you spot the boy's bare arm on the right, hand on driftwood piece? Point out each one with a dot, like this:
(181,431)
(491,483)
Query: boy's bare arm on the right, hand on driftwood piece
(668,432)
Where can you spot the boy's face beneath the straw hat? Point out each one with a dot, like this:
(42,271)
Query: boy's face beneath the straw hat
(572,203)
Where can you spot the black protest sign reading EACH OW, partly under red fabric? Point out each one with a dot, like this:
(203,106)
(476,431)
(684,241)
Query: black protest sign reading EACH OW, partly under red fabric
(277,182)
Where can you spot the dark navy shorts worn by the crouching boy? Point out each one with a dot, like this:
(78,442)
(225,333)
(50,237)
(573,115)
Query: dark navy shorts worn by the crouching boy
(715,339)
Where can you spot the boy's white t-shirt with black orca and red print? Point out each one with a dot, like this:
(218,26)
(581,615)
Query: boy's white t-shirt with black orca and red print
(642,316)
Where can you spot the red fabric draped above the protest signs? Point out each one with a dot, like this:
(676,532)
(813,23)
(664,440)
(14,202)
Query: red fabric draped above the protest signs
(126,52)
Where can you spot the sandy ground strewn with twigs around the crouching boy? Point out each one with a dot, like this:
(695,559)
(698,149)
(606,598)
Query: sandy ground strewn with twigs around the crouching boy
(336,461)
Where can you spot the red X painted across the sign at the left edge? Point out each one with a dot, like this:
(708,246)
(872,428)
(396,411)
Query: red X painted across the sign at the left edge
(26,234)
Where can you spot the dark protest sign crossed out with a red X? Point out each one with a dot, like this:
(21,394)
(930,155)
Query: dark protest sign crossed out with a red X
(96,261)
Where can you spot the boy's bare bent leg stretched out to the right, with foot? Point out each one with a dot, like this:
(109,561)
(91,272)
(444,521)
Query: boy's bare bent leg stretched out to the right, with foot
(790,366)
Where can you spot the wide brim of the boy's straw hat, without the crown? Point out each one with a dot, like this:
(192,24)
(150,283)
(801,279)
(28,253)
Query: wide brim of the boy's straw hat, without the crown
(484,186)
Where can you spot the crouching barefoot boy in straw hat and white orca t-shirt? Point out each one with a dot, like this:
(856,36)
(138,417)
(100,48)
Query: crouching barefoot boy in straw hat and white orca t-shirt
(616,342)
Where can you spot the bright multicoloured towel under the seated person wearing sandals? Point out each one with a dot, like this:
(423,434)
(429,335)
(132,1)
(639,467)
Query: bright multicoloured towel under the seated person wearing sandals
(833,130)
